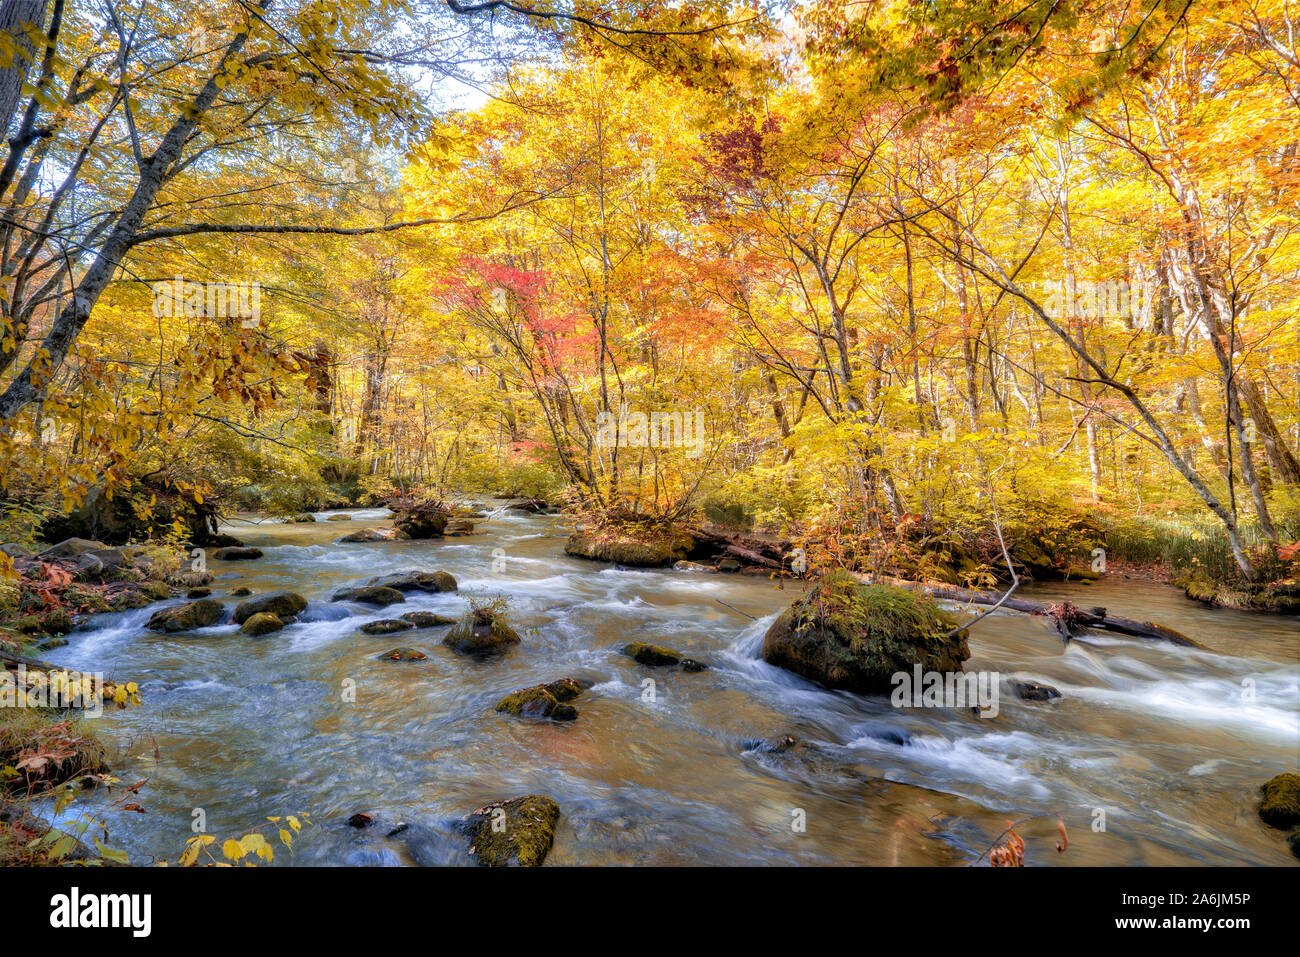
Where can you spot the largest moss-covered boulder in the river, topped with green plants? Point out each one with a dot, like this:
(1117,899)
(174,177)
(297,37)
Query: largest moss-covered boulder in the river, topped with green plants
(852,636)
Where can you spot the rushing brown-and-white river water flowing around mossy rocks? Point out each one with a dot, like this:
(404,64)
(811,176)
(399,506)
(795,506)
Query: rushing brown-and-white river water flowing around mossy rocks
(1154,756)
